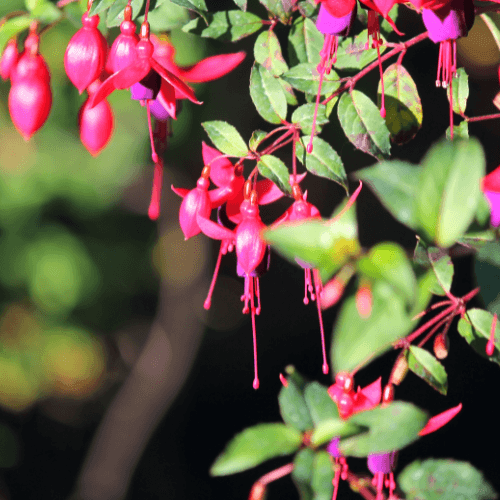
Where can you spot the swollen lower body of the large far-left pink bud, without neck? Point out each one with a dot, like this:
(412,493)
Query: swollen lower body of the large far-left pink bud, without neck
(30,101)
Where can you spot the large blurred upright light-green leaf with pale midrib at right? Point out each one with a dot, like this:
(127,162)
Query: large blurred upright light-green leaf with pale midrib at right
(449,190)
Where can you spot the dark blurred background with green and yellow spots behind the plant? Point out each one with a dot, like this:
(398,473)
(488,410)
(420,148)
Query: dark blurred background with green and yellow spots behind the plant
(110,369)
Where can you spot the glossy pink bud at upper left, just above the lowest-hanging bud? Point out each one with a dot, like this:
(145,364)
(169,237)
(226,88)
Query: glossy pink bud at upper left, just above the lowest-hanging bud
(86,54)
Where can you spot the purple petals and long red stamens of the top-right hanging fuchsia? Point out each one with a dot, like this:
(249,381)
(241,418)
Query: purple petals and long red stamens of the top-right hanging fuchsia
(445,25)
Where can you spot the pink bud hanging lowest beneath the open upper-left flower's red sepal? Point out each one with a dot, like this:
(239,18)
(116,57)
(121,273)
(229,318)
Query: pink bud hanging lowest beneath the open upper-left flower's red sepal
(96,124)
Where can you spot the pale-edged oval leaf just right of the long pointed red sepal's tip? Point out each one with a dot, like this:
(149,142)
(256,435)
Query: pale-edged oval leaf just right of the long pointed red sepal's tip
(267,95)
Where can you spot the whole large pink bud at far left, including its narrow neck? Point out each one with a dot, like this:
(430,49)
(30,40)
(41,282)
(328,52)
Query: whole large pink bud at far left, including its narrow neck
(30,97)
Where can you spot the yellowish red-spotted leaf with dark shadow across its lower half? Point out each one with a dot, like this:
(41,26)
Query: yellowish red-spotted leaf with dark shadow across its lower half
(402,103)
